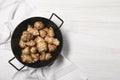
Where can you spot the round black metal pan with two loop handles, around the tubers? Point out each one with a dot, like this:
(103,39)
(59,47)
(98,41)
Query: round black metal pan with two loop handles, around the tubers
(22,27)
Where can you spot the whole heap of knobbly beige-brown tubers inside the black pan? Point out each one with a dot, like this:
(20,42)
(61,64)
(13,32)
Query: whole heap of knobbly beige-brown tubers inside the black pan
(38,43)
